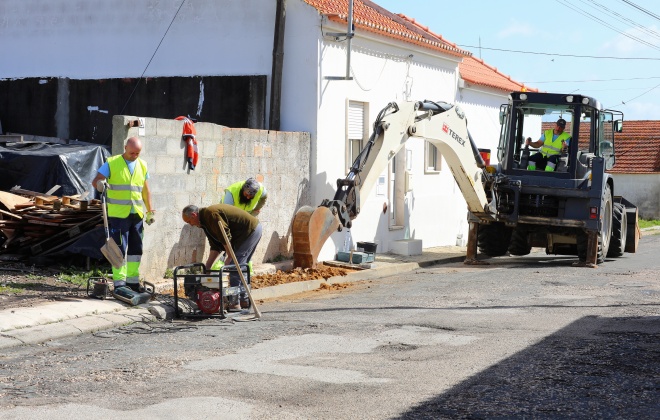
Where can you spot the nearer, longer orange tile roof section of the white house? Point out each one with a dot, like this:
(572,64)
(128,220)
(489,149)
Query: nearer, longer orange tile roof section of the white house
(371,17)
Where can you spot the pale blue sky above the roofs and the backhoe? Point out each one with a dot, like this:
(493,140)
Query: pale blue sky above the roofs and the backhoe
(606,49)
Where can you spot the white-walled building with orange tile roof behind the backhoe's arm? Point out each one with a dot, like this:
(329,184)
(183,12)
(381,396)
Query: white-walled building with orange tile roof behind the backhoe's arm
(392,58)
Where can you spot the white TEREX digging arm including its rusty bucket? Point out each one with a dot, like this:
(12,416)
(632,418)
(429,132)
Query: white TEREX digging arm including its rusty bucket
(441,124)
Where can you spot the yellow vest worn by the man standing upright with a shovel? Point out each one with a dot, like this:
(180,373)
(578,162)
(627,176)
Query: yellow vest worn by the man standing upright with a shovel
(124,189)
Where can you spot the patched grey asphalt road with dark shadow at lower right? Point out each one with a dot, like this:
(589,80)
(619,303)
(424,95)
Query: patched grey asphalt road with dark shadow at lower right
(524,337)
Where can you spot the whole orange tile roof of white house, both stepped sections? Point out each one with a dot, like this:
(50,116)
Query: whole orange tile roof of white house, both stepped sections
(369,16)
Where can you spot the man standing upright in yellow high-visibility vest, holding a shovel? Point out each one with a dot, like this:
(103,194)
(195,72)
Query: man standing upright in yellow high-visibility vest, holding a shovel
(124,178)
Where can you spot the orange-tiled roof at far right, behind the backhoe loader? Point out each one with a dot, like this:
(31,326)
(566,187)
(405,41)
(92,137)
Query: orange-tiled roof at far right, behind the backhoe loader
(637,148)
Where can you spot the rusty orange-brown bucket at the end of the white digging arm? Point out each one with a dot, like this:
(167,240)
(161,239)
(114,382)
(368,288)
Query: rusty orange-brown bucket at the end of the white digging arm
(311,228)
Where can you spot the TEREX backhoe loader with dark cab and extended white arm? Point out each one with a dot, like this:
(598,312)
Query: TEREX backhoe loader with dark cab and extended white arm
(570,209)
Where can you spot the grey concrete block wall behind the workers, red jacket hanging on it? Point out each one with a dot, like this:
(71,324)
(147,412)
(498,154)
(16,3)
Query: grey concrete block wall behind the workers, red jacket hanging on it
(278,159)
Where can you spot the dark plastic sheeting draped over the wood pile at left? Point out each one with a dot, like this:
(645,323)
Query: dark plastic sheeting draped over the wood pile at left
(40,165)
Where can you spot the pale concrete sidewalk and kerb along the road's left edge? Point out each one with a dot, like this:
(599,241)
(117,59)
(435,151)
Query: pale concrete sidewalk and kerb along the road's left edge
(79,316)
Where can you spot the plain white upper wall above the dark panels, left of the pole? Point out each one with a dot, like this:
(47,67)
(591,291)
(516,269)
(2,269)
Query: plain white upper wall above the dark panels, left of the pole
(95,39)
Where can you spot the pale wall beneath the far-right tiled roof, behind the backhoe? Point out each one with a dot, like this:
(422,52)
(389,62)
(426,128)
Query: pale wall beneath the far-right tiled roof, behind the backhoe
(641,190)
